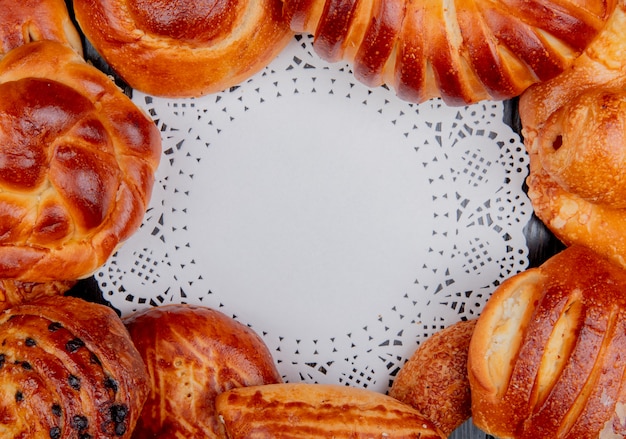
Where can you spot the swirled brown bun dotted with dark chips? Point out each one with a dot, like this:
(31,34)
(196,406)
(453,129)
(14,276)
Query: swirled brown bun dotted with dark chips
(68,369)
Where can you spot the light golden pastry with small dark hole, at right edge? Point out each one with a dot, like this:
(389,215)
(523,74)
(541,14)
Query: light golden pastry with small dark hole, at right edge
(575,131)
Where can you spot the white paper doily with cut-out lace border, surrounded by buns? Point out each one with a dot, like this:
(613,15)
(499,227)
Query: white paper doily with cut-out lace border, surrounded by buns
(341,223)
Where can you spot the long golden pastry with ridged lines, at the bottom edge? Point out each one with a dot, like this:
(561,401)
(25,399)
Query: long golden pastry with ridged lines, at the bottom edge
(313,411)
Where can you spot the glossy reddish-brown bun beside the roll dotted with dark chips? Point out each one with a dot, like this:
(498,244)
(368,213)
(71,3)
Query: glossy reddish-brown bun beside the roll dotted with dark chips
(193,354)
